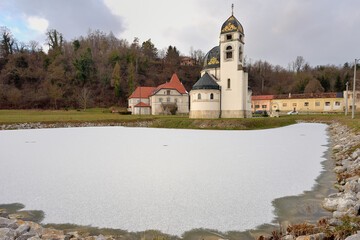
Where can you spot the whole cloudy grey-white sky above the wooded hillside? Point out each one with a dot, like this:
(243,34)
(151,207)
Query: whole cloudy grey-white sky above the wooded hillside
(322,31)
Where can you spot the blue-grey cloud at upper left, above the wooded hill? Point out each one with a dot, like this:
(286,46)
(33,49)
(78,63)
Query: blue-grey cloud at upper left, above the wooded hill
(71,18)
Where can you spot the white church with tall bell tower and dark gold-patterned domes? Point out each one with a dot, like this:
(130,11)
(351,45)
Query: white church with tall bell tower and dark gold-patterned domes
(222,91)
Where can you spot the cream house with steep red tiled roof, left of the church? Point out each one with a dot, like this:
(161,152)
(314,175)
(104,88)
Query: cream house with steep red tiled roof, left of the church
(168,98)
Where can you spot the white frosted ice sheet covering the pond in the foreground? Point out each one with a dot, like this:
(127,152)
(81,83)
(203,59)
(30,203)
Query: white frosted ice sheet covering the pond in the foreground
(166,179)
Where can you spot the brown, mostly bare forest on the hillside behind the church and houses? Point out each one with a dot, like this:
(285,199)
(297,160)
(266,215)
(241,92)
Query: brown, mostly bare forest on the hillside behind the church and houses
(100,70)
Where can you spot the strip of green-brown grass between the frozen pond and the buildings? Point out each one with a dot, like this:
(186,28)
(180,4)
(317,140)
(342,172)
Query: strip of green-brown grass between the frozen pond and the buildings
(104,115)
